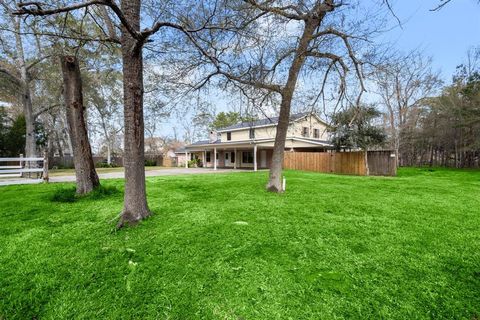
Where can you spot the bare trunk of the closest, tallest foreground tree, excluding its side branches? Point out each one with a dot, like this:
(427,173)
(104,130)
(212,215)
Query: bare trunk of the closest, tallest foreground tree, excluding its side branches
(135,200)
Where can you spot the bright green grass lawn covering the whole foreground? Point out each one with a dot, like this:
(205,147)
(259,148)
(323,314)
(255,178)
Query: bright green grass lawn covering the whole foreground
(220,247)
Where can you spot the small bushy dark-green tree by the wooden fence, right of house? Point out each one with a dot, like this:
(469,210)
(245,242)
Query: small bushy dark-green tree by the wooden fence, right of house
(354,128)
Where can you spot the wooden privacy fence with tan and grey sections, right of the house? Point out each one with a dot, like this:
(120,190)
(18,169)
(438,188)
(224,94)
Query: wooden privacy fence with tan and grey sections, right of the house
(380,162)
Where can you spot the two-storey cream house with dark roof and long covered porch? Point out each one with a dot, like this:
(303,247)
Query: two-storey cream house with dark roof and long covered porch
(250,144)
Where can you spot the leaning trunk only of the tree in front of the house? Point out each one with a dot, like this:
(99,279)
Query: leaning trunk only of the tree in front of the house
(275,176)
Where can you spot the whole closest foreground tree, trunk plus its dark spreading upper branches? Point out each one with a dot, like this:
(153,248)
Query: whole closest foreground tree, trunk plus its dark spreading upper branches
(132,41)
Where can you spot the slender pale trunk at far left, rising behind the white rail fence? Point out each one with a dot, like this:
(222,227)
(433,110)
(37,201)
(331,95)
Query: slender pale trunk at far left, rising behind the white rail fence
(30,142)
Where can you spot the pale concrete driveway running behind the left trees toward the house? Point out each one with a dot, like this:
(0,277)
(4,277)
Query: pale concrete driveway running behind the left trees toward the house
(120,175)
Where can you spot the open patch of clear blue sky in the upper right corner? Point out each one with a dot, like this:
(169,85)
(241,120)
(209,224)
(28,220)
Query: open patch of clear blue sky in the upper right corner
(445,35)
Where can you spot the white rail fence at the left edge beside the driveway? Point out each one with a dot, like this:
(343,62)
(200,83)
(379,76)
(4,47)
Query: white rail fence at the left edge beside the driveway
(24,168)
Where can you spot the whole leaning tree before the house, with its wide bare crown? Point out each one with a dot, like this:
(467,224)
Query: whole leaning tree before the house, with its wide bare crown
(264,46)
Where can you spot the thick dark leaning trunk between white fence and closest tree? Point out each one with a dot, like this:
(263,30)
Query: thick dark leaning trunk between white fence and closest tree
(86,176)
